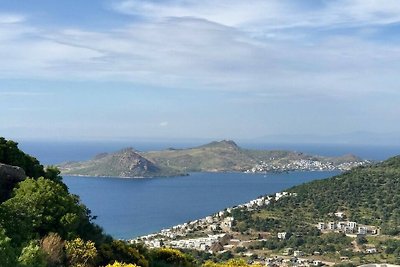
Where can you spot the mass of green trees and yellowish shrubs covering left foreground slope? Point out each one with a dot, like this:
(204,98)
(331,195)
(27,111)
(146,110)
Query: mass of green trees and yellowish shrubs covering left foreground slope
(42,224)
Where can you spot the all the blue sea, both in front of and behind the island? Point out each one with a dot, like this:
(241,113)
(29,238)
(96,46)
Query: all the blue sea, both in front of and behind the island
(128,208)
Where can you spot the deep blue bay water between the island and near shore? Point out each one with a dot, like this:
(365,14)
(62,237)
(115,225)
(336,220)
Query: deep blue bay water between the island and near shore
(127,208)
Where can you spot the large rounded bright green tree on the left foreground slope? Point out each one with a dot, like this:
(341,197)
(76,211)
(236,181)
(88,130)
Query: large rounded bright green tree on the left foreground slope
(42,206)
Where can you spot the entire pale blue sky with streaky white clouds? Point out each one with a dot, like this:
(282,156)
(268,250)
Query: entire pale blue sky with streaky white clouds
(189,69)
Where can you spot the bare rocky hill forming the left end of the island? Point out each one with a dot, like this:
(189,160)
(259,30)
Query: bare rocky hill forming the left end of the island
(124,163)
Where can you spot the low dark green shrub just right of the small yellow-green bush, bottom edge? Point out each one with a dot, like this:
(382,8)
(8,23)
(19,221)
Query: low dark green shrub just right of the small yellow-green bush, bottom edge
(120,251)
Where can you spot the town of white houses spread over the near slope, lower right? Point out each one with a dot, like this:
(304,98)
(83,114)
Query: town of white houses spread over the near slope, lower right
(214,234)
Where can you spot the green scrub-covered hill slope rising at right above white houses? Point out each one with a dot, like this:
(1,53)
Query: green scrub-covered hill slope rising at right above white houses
(368,195)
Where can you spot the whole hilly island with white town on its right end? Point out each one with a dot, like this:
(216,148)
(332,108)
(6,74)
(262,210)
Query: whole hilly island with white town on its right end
(217,156)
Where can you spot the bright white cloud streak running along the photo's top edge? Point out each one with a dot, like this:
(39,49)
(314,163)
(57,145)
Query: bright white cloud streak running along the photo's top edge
(271,14)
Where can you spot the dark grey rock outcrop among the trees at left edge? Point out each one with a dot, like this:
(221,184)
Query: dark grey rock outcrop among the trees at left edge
(9,177)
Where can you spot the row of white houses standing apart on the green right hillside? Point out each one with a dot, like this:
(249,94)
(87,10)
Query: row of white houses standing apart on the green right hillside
(348,227)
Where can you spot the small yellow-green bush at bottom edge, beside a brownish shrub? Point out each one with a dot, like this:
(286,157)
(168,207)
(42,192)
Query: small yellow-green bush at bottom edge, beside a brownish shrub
(80,253)
